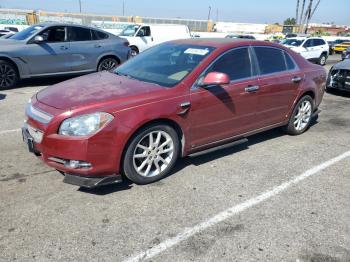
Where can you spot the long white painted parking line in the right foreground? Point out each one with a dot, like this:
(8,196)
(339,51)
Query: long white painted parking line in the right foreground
(230,212)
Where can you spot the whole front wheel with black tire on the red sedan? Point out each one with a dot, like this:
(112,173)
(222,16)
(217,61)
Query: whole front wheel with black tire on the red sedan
(151,154)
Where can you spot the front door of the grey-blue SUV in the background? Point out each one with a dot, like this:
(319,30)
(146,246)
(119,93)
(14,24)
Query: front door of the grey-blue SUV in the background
(50,56)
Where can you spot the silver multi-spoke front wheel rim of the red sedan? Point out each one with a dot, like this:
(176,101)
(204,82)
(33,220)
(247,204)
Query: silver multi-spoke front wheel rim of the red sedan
(153,153)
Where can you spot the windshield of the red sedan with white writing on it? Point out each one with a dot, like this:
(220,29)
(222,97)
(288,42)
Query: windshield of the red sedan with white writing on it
(165,64)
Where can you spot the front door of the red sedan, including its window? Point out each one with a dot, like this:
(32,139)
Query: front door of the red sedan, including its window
(221,112)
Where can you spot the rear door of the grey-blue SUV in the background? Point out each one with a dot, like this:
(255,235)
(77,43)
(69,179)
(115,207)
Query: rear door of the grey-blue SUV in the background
(85,48)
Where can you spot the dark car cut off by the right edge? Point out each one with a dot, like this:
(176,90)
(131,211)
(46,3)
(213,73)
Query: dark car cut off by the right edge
(339,76)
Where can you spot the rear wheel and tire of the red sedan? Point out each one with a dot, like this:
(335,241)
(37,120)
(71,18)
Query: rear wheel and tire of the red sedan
(301,117)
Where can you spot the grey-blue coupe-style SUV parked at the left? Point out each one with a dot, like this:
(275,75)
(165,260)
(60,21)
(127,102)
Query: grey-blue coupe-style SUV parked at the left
(58,49)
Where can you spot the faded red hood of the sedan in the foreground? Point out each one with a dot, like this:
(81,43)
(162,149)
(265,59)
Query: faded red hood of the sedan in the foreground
(97,88)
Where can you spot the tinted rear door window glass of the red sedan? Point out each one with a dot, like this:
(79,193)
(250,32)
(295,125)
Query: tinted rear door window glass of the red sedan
(270,60)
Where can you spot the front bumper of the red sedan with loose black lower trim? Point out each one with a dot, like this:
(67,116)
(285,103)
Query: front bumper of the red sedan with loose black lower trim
(57,152)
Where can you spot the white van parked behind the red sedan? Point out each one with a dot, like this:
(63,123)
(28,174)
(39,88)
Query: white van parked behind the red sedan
(144,36)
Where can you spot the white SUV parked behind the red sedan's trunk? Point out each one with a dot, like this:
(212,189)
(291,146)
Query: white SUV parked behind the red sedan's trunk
(314,49)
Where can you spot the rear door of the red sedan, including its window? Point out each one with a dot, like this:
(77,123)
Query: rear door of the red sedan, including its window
(279,80)
